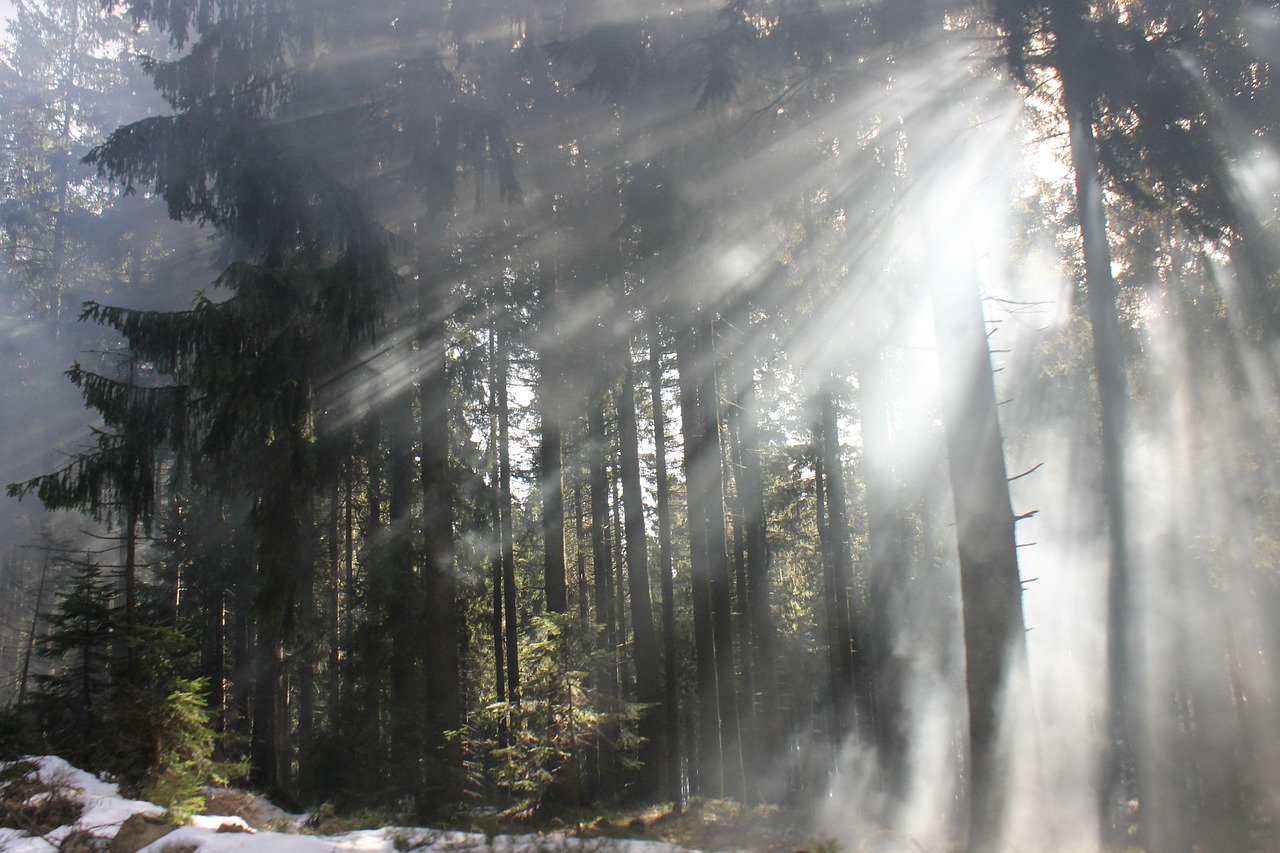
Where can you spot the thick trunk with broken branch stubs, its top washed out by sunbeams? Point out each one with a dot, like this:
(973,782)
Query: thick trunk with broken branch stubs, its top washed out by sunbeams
(990,585)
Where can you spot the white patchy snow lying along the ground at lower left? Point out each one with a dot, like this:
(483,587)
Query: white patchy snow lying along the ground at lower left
(104,811)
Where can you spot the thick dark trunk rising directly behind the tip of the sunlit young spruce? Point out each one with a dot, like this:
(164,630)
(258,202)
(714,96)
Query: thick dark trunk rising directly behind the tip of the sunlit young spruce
(551,454)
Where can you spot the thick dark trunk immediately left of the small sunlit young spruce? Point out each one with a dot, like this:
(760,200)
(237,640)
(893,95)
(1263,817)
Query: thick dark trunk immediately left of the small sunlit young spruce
(442,659)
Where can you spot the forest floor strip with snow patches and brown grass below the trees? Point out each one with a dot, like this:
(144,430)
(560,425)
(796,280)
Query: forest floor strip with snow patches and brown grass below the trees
(53,806)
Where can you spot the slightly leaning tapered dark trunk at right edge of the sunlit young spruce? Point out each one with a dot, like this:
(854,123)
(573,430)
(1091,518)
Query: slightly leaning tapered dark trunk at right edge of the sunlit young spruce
(646,653)
